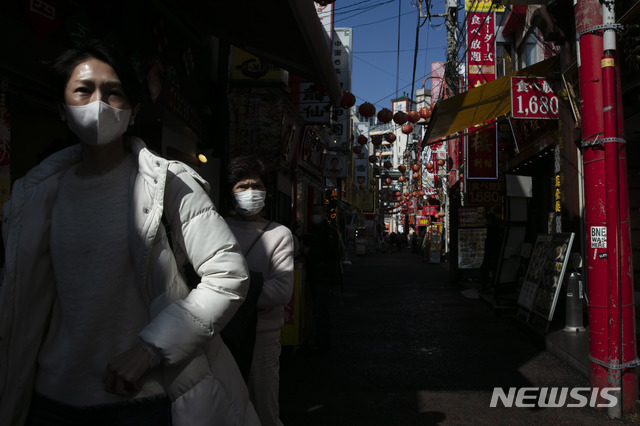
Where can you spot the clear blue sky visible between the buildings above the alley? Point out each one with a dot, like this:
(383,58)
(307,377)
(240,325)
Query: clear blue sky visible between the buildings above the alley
(380,73)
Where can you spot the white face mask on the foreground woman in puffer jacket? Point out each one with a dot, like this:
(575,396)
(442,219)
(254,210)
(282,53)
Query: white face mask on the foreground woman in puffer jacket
(97,123)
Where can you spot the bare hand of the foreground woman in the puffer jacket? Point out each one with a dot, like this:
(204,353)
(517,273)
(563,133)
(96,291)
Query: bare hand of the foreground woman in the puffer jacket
(123,371)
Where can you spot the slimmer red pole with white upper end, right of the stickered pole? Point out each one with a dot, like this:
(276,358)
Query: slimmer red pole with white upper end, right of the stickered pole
(620,303)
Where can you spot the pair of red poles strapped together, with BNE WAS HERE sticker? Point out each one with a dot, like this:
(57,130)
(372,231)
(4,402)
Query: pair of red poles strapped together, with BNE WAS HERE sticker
(609,266)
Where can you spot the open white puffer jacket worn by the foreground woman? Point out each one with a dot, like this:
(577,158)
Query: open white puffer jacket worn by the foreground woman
(201,378)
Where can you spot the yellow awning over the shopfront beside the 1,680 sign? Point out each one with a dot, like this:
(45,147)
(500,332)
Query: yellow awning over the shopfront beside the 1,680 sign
(481,104)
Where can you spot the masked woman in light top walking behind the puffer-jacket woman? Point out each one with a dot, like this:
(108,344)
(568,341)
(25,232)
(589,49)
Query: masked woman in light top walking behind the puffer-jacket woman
(268,249)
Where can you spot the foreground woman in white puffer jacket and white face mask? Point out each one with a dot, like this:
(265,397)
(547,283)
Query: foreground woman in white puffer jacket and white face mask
(97,324)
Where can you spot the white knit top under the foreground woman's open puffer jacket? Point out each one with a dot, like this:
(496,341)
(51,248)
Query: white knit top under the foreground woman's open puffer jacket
(99,309)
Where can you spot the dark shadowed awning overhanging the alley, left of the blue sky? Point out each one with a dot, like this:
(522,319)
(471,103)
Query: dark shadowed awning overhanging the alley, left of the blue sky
(287,33)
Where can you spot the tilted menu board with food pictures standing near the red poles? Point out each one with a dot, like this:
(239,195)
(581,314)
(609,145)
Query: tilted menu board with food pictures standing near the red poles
(542,283)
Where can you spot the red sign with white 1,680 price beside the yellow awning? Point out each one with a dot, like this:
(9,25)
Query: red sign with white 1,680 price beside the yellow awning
(534,98)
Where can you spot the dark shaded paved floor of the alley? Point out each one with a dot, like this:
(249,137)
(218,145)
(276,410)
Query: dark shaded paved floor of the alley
(410,349)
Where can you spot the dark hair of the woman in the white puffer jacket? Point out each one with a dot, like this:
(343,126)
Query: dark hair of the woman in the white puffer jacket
(64,65)
